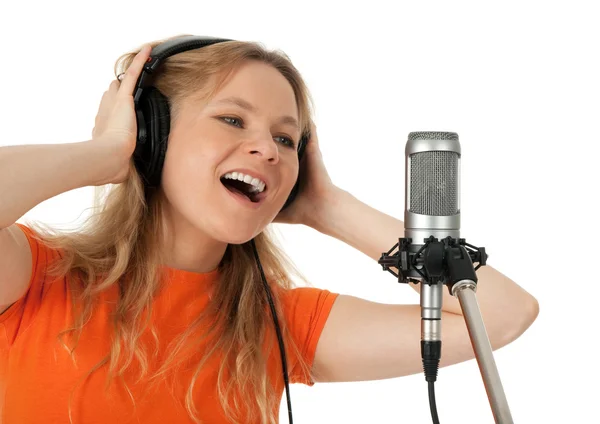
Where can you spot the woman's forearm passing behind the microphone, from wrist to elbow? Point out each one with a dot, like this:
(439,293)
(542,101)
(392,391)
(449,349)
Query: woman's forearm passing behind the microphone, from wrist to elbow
(373,232)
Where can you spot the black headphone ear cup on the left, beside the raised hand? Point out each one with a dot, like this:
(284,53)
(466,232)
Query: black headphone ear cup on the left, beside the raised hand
(153,124)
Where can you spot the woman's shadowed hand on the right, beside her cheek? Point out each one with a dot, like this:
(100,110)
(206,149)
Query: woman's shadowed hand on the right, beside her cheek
(314,190)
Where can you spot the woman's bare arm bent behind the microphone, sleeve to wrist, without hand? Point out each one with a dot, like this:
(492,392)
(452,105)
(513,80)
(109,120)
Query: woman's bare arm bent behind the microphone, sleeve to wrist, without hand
(356,343)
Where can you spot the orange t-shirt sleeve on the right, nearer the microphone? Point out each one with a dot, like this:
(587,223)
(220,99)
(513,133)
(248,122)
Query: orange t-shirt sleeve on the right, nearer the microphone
(306,310)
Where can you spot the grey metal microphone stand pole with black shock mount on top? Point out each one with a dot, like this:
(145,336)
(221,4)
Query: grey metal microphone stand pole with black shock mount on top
(450,262)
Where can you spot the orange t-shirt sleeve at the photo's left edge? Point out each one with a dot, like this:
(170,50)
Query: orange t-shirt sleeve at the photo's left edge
(20,315)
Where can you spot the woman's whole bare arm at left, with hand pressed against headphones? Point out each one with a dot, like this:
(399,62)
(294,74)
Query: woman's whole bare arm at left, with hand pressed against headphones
(31,174)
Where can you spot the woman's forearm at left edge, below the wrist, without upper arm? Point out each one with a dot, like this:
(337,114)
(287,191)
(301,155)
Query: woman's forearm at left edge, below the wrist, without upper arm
(31,174)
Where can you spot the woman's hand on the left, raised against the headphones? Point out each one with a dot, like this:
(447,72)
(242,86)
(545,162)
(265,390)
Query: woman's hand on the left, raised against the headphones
(115,124)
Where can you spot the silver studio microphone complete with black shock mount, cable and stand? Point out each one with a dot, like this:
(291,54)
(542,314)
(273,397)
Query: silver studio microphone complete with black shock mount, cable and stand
(433,254)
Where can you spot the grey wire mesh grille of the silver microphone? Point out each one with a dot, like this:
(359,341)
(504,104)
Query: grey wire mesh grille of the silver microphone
(434,183)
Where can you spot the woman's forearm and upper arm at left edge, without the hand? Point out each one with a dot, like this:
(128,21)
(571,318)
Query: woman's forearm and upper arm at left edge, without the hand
(29,175)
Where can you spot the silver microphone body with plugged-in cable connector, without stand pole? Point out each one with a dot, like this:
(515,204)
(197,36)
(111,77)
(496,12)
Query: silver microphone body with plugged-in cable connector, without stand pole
(432,209)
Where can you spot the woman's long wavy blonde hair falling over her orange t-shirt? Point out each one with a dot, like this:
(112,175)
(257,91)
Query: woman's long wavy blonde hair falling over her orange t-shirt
(119,244)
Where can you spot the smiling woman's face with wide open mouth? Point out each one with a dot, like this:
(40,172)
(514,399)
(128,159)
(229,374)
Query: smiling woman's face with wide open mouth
(250,126)
